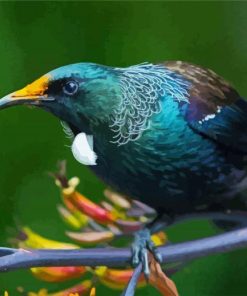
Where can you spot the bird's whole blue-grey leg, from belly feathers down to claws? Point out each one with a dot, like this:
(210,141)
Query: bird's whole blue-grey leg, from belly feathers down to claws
(143,244)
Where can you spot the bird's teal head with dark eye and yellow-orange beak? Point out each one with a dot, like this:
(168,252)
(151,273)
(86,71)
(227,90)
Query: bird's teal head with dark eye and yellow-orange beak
(82,95)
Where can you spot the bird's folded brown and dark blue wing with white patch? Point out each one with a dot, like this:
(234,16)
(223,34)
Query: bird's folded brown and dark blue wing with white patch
(215,109)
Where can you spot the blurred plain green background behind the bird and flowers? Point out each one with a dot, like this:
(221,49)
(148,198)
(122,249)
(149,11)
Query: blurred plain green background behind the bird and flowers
(36,37)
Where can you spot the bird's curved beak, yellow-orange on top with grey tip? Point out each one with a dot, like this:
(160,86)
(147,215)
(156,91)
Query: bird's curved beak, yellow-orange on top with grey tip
(32,94)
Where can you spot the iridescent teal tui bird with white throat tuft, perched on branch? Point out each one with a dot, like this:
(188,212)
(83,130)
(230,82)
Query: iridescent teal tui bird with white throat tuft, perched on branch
(173,135)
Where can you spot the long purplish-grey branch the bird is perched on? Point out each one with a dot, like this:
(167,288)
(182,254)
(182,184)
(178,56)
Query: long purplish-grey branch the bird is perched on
(11,259)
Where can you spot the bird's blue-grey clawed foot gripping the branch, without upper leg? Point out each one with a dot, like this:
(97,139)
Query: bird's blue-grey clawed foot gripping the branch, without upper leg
(142,244)
